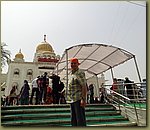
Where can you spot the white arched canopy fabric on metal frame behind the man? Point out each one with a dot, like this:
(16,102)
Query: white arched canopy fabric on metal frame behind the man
(94,58)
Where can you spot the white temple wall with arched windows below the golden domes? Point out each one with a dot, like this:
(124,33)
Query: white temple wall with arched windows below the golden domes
(27,71)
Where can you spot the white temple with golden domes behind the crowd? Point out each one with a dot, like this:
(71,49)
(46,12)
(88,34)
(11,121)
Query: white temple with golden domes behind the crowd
(45,60)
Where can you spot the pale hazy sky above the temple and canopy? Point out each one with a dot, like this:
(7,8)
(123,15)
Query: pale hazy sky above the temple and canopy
(118,23)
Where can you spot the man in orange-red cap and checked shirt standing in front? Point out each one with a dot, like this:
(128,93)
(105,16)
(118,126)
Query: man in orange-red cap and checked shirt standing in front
(76,94)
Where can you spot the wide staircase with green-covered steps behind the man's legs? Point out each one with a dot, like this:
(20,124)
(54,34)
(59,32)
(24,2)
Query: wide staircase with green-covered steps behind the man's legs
(59,115)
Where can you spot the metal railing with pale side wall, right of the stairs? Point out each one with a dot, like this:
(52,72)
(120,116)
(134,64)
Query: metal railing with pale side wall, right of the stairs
(131,106)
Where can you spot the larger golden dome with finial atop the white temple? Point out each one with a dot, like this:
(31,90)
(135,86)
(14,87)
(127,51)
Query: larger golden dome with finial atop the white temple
(44,47)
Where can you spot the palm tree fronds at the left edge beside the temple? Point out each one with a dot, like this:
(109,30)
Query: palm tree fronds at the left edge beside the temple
(5,55)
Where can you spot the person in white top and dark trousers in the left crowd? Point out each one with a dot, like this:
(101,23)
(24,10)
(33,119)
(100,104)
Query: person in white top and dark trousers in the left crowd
(35,90)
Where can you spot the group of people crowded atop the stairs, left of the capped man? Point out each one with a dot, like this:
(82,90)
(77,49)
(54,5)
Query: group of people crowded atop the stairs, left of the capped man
(41,90)
